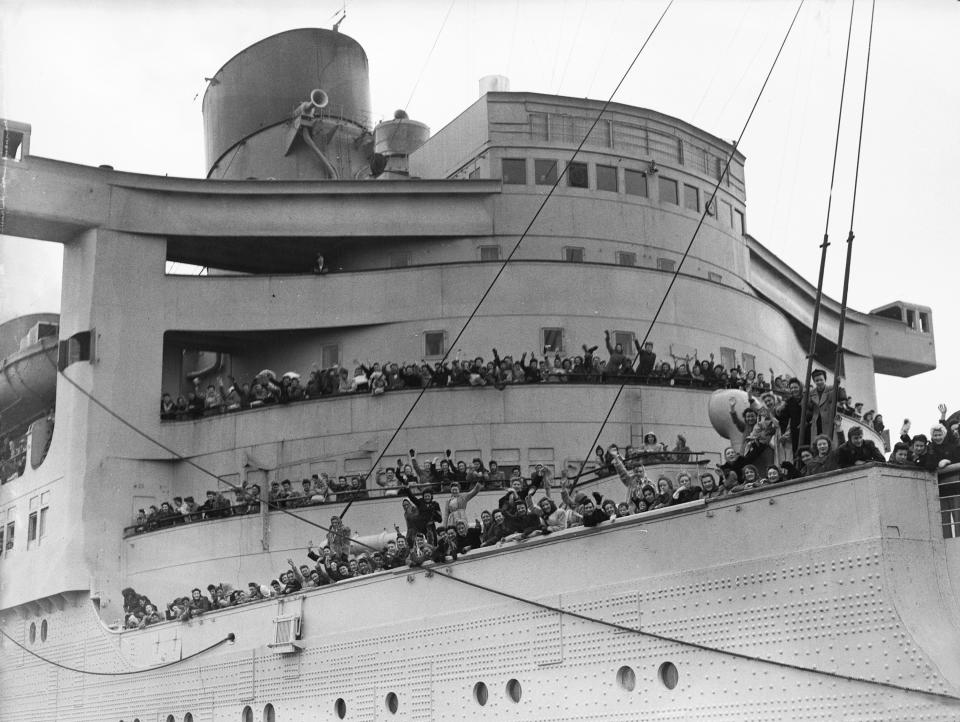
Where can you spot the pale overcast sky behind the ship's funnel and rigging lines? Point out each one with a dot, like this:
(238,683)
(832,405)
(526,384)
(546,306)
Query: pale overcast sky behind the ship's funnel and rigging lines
(121,82)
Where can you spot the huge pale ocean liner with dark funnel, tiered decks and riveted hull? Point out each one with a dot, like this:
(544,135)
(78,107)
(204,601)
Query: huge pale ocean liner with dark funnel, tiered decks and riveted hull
(326,241)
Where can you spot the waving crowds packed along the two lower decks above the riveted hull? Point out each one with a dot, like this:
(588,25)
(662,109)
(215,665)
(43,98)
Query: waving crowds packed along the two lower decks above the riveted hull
(441,533)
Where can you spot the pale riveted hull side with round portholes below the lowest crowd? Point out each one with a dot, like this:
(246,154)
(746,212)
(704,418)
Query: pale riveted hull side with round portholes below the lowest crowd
(765,613)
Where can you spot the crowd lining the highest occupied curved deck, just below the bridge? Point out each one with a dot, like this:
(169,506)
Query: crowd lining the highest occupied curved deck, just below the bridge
(621,366)
